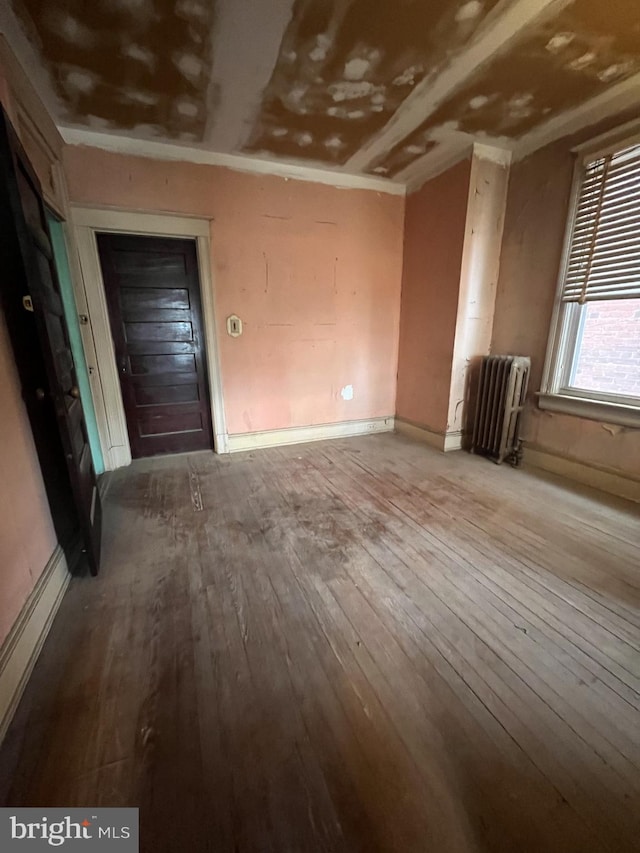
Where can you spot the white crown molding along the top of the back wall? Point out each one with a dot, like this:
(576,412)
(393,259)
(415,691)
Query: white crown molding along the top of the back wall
(238,162)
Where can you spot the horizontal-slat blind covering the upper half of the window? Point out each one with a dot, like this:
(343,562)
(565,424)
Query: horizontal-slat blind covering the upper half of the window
(604,256)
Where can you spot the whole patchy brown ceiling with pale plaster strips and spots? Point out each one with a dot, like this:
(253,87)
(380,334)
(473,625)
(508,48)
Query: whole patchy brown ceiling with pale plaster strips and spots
(356,86)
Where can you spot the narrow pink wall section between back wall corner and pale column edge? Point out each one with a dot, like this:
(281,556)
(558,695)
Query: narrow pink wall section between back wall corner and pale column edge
(434,236)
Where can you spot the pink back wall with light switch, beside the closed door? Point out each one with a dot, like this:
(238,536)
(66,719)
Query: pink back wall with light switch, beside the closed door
(313,271)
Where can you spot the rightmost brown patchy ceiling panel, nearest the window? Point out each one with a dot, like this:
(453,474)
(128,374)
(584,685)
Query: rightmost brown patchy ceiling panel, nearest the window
(588,47)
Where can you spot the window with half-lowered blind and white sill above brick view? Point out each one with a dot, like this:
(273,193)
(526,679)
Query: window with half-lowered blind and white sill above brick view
(593,363)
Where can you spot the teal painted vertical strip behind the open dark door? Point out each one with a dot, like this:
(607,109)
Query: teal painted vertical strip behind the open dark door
(77,350)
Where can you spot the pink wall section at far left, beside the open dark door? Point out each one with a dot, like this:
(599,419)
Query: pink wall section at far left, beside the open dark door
(27,537)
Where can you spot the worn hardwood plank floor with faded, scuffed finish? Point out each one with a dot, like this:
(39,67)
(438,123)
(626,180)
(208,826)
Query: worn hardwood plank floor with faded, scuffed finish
(356,645)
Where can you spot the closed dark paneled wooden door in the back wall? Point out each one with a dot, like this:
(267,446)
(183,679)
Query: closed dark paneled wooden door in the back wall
(153,295)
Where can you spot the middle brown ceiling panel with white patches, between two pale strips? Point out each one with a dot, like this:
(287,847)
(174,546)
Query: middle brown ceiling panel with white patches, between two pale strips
(345,66)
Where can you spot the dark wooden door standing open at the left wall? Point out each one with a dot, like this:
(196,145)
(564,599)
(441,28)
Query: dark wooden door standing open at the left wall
(40,339)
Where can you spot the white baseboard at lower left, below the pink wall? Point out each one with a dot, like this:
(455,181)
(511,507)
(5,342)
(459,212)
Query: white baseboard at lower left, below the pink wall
(21,648)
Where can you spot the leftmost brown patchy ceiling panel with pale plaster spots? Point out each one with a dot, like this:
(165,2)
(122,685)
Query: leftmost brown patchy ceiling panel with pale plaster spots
(120,65)
